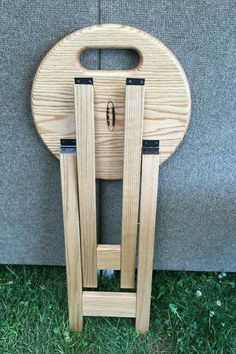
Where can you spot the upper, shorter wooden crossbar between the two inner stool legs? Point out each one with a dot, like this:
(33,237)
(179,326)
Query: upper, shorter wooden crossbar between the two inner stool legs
(108,257)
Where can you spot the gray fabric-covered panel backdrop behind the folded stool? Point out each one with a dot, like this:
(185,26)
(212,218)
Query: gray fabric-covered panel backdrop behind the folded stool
(197,195)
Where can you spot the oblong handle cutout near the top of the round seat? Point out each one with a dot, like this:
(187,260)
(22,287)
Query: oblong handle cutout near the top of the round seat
(109,59)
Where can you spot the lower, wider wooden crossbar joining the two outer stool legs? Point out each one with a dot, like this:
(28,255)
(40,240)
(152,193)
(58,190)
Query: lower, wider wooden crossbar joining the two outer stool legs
(109,304)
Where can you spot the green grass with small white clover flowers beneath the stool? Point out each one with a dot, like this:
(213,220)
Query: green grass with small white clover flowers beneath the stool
(34,317)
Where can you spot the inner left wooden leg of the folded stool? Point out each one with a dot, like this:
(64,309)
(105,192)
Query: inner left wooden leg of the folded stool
(84,119)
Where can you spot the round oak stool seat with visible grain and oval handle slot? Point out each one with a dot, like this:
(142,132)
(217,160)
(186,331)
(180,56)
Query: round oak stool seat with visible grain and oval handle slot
(167,96)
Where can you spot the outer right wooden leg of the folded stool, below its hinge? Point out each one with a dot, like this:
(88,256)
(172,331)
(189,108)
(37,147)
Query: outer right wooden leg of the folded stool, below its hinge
(148,204)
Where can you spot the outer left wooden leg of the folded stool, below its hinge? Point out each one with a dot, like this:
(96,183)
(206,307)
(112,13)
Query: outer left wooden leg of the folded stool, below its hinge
(72,240)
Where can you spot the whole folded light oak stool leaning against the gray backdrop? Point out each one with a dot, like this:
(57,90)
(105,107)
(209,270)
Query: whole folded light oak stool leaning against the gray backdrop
(61,113)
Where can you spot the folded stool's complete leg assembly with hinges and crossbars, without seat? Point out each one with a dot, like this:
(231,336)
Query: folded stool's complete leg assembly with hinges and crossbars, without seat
(140,183)
